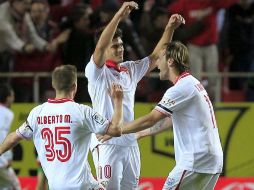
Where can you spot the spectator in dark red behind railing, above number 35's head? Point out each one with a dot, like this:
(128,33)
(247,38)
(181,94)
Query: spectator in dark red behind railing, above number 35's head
(39,61)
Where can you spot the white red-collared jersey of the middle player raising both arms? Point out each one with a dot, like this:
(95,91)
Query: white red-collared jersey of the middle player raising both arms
(99,82)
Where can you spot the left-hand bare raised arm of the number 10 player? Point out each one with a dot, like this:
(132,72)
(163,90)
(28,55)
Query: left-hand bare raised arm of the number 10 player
(108,33)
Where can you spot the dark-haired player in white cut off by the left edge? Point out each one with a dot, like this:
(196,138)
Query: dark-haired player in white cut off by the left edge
(8,178)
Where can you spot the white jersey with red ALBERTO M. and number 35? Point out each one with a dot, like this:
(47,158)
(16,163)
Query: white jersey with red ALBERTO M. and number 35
(61,130)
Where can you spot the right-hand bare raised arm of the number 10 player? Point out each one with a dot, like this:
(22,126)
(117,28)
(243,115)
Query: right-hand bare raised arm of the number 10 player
(174,22)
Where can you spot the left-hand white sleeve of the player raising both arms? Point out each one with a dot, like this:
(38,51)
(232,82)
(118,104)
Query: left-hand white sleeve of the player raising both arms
(92,72)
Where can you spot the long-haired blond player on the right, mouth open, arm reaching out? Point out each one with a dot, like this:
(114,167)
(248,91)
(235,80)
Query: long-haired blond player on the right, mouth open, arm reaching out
(198,152)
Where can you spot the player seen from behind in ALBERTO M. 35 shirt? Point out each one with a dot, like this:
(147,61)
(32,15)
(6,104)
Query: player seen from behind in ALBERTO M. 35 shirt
(61,130)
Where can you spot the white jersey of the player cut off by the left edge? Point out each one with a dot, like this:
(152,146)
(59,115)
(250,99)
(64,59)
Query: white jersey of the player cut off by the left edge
(6,117)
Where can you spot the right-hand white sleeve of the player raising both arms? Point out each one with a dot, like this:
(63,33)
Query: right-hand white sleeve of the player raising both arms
(139,68)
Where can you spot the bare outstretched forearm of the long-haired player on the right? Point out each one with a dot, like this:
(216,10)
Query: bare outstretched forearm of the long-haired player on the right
(142,123)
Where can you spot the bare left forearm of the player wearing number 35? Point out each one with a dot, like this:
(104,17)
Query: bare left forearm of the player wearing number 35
(9,142)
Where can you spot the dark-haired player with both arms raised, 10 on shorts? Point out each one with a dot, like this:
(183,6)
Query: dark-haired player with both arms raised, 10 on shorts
(117,161)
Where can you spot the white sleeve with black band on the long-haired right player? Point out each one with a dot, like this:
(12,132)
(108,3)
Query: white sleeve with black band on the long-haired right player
(173,100)
